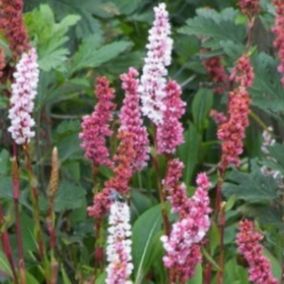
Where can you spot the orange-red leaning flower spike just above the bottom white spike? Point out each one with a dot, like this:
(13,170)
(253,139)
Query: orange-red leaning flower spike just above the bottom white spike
(123,171)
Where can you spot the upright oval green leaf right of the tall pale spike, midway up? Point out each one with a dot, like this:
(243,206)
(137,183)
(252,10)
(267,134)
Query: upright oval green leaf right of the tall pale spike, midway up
(201,105)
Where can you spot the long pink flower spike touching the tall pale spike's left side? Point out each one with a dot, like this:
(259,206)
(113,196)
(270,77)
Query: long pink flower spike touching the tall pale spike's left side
(131,120)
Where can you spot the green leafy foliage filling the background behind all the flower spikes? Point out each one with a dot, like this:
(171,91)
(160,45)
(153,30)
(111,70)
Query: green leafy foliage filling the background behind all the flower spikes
(80,40)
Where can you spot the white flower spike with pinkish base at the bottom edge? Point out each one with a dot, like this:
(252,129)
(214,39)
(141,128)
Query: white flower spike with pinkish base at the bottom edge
(118,250)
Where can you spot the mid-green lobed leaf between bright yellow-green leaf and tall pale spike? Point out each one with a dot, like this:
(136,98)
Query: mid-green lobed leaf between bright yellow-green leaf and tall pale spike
(91,54)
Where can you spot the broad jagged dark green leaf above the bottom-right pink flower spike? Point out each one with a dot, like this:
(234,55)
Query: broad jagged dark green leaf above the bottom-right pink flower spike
(252,187)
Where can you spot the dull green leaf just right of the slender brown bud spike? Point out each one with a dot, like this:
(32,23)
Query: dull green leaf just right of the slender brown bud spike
(70,196)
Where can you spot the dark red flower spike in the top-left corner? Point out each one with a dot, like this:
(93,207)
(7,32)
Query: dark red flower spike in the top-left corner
(12,25)
